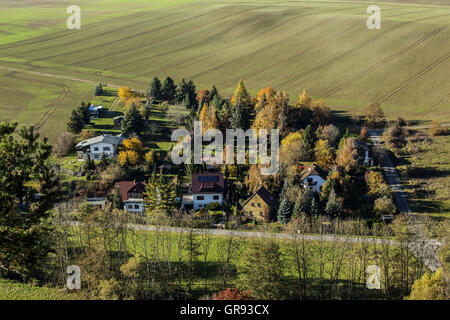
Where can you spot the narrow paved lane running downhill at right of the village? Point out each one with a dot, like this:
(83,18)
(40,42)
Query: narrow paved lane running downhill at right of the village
(390,173)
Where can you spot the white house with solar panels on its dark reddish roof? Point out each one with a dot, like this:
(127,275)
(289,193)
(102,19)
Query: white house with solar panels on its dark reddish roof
(205,188)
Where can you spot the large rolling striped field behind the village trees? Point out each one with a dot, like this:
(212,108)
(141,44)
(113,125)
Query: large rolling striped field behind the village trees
(323,46)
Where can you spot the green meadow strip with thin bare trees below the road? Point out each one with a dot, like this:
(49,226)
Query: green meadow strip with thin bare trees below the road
(119,262)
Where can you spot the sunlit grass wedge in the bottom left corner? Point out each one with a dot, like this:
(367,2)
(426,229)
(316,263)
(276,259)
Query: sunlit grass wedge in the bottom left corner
(12,290)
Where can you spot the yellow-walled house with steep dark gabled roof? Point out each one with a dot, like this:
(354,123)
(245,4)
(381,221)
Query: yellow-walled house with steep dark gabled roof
(261,205)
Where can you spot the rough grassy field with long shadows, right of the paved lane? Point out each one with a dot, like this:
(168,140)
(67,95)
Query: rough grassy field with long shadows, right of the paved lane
(426,179)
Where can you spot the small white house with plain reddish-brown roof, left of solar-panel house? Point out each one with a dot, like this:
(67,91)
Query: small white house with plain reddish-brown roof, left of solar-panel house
(132,194)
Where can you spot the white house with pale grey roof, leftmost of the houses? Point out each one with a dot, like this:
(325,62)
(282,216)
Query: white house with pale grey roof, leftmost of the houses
(96,147)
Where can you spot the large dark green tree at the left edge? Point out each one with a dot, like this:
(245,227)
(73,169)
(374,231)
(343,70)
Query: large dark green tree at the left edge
(24,210)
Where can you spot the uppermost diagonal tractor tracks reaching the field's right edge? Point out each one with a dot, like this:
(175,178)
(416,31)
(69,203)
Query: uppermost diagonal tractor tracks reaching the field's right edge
(381,63)
